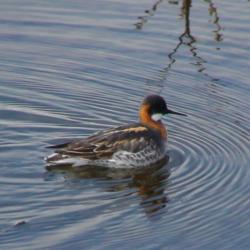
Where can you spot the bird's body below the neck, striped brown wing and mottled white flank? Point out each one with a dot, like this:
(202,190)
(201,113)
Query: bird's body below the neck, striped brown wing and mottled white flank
(135,144)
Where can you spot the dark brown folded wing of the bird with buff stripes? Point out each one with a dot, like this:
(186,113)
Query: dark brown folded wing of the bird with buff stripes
(104,144)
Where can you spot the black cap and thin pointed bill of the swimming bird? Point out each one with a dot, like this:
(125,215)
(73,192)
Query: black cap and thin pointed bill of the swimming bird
(158,105)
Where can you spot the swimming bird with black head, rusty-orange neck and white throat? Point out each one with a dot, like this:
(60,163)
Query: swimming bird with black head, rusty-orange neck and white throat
(129,146)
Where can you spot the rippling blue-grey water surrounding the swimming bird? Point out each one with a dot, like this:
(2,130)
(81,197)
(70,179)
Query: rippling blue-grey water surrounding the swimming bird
(69,68)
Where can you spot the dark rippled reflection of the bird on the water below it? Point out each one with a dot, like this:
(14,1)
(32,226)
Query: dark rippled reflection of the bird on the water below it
(148,183)
